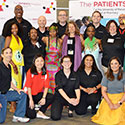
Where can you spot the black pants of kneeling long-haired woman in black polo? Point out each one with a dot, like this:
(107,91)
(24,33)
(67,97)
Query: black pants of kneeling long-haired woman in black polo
(87,100)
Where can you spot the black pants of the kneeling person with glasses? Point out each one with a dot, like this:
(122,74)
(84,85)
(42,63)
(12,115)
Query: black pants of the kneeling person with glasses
(57,108)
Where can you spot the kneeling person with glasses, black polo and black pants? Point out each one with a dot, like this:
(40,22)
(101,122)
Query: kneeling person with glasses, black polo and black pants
(67,92)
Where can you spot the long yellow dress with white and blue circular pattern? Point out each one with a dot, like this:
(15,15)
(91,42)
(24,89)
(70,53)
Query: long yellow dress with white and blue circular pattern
(17,58)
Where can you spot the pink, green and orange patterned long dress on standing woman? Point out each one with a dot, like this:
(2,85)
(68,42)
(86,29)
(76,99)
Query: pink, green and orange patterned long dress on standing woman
(52,62)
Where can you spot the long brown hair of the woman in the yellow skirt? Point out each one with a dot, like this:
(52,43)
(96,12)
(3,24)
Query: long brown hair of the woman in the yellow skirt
(109,73)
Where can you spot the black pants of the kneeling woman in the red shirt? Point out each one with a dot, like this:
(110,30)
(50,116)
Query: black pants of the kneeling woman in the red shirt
(31,113)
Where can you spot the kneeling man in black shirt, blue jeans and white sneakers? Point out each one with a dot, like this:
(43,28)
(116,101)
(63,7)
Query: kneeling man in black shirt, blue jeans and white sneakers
(5,95)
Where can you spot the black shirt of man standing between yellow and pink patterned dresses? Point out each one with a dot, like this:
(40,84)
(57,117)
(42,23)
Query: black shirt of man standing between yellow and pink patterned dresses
(30,51)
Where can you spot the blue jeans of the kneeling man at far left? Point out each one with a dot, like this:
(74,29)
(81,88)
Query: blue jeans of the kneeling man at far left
(13,96)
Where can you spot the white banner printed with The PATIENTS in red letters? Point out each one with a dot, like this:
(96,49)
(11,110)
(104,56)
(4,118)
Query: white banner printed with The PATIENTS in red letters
(109,9)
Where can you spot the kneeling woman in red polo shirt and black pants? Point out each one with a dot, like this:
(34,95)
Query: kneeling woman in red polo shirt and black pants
(37,84)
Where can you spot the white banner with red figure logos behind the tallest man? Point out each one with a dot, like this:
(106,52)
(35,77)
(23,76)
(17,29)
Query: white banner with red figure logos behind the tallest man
(32,10)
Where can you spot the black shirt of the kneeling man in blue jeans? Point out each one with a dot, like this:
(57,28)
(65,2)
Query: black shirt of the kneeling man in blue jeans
(5,77)
